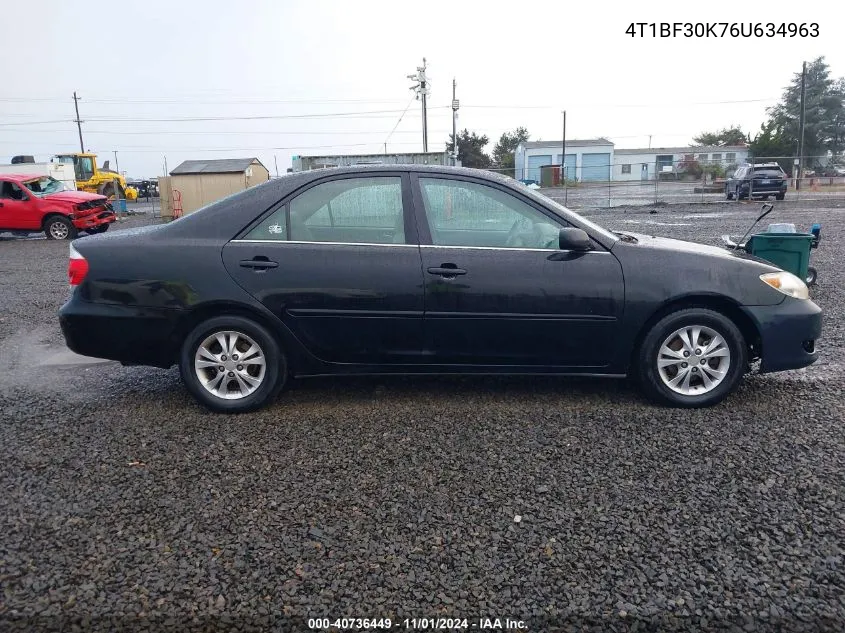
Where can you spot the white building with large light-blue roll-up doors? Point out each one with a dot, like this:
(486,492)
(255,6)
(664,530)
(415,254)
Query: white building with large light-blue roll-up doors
(588,159)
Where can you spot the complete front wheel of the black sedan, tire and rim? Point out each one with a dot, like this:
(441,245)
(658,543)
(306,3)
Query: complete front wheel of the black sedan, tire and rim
(695,393)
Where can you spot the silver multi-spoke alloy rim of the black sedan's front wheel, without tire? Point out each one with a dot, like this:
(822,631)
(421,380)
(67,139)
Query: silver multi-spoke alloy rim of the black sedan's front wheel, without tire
(693,360)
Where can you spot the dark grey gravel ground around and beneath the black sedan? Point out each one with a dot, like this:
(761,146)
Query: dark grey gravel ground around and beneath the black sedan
(568,504)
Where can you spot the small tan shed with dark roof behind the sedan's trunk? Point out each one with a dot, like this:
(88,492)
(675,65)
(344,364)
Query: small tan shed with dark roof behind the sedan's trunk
(201,182)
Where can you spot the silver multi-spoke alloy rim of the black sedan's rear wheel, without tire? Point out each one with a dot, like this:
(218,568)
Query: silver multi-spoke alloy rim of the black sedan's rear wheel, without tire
(230,365)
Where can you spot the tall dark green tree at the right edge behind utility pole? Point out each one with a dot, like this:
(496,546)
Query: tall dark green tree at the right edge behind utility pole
(824,114)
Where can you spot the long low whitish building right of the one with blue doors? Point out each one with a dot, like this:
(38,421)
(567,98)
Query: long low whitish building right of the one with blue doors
(643,164)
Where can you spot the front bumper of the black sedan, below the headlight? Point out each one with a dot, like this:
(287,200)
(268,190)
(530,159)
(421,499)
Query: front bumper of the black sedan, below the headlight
(789,333)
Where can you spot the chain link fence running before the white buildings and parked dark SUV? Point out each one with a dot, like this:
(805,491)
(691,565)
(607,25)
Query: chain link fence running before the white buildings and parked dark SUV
(685,180)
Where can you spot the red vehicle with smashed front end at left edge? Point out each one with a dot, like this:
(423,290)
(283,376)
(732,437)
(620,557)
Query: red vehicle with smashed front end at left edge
(32,203)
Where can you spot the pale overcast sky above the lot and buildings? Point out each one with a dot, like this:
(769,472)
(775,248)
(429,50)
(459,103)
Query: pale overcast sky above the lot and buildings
(275,79)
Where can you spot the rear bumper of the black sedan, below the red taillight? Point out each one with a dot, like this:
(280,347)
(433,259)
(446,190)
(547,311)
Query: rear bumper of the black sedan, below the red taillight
(129,334)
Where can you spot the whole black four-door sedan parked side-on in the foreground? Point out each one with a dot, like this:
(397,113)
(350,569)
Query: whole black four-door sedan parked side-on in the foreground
(410,269)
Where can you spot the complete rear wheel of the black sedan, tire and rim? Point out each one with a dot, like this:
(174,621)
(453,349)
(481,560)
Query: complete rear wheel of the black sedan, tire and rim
(271,378)
